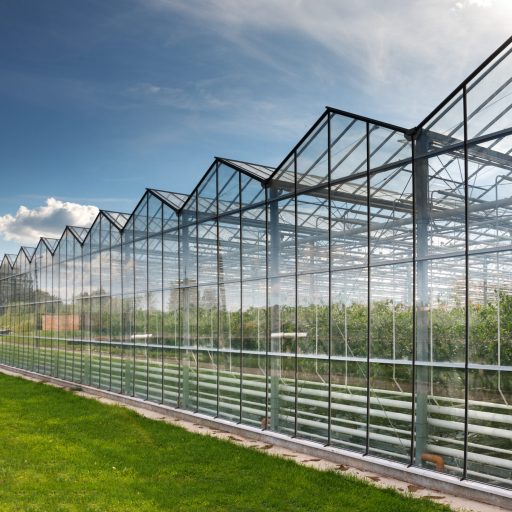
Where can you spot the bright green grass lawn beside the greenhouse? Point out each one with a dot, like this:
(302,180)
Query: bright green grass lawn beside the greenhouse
(61,452)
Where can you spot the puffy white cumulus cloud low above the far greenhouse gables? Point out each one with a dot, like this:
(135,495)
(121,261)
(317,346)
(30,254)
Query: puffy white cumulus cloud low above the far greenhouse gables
(49,220)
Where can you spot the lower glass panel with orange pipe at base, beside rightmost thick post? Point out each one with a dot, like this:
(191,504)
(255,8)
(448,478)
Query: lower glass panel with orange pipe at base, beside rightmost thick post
(440,353)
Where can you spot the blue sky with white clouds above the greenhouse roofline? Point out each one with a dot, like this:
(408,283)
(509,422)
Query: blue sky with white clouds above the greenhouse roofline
(99,100)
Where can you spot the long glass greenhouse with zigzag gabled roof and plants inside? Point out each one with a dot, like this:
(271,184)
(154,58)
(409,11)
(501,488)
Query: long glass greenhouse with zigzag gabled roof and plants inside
(358,295)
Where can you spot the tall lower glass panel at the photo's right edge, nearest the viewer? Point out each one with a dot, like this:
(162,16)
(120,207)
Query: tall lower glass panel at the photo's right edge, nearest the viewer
(490,361)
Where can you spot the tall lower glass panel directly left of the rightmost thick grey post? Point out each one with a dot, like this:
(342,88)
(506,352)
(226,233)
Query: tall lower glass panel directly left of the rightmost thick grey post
(391,335)
